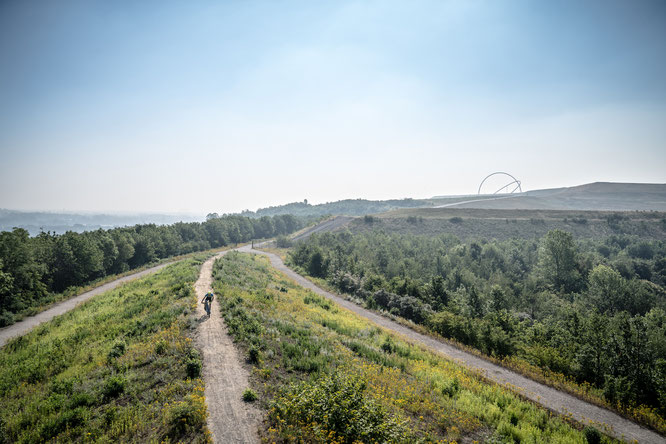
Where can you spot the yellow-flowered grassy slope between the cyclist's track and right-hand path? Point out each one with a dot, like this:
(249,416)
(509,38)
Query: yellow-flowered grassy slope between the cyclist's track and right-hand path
(326,375)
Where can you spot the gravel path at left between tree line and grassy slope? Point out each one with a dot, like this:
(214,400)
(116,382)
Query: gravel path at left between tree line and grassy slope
(24,326)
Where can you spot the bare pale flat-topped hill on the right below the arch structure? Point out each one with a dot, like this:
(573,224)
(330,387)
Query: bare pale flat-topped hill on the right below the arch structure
(598,196)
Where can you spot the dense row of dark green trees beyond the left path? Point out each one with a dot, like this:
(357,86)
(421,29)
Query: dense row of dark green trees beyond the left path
(33,268)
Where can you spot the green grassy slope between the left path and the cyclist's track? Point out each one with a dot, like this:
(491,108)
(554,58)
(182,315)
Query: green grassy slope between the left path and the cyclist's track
(119,368)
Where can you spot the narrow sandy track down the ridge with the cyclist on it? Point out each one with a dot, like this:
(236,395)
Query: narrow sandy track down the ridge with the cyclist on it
(230,420)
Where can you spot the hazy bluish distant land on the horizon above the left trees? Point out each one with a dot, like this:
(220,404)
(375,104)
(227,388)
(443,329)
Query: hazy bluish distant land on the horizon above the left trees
(34,222)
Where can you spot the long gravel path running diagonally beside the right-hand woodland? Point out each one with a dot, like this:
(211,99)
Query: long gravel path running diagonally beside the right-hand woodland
(549,397)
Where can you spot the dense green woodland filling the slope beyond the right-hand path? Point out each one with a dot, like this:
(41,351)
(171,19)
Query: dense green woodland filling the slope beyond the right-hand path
(593,310)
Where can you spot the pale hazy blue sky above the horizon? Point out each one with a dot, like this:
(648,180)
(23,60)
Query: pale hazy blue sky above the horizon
(222,106)
